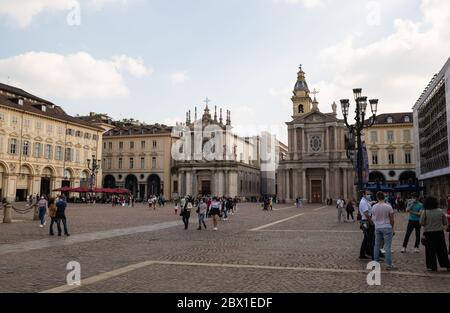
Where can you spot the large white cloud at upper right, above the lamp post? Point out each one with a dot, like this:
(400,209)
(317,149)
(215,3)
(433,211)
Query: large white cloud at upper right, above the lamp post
(395,68)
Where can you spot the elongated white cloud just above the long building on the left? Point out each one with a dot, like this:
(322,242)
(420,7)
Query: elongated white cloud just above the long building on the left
(73,76)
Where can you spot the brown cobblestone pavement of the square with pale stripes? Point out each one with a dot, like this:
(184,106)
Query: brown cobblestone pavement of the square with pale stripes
(136,249)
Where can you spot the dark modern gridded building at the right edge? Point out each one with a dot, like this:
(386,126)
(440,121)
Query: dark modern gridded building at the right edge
(431,128)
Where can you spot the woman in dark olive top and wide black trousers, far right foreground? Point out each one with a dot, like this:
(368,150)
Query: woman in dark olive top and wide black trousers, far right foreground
(434,222)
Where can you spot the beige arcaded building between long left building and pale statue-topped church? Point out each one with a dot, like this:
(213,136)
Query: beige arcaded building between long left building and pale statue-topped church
(138,157)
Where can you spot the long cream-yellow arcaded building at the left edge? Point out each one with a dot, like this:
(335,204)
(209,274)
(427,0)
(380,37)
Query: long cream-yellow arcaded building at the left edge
(41,147)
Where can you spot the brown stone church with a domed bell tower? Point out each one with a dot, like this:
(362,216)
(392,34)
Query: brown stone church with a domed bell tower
(316,167)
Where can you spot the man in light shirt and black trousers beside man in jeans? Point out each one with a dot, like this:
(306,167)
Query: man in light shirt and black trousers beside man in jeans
(367,226)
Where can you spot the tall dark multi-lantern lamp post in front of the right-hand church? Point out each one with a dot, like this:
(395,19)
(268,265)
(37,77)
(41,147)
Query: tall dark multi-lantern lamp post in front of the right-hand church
(360,124)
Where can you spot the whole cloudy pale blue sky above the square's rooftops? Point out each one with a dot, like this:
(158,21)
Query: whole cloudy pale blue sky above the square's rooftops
(153,60)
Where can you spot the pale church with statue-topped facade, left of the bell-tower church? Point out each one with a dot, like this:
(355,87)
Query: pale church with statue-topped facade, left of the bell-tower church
(232,170)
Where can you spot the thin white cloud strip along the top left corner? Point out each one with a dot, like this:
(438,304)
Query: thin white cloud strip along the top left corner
(21,13)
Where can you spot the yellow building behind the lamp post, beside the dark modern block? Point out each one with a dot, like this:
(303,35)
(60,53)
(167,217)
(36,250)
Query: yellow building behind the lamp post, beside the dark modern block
(391,150)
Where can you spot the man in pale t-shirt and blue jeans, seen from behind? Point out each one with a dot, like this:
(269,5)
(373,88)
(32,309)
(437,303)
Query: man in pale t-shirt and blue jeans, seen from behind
(383,219)
